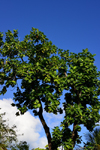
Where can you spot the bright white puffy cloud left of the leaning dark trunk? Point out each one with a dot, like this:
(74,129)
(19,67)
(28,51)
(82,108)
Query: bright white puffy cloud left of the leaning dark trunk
(26,124)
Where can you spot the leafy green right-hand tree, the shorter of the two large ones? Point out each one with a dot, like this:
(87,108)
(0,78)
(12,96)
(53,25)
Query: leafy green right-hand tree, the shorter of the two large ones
(81,102)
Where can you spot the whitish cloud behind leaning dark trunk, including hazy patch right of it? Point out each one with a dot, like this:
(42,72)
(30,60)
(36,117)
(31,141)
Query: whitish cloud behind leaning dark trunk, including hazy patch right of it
(28,125)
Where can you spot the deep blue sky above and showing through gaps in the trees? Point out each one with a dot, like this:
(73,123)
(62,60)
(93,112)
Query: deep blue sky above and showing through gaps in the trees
(69,24)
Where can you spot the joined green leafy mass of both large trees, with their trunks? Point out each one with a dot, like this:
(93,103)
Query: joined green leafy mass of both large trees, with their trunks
(45,72)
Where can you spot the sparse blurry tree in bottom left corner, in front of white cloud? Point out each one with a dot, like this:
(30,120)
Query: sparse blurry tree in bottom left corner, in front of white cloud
(9,138)
